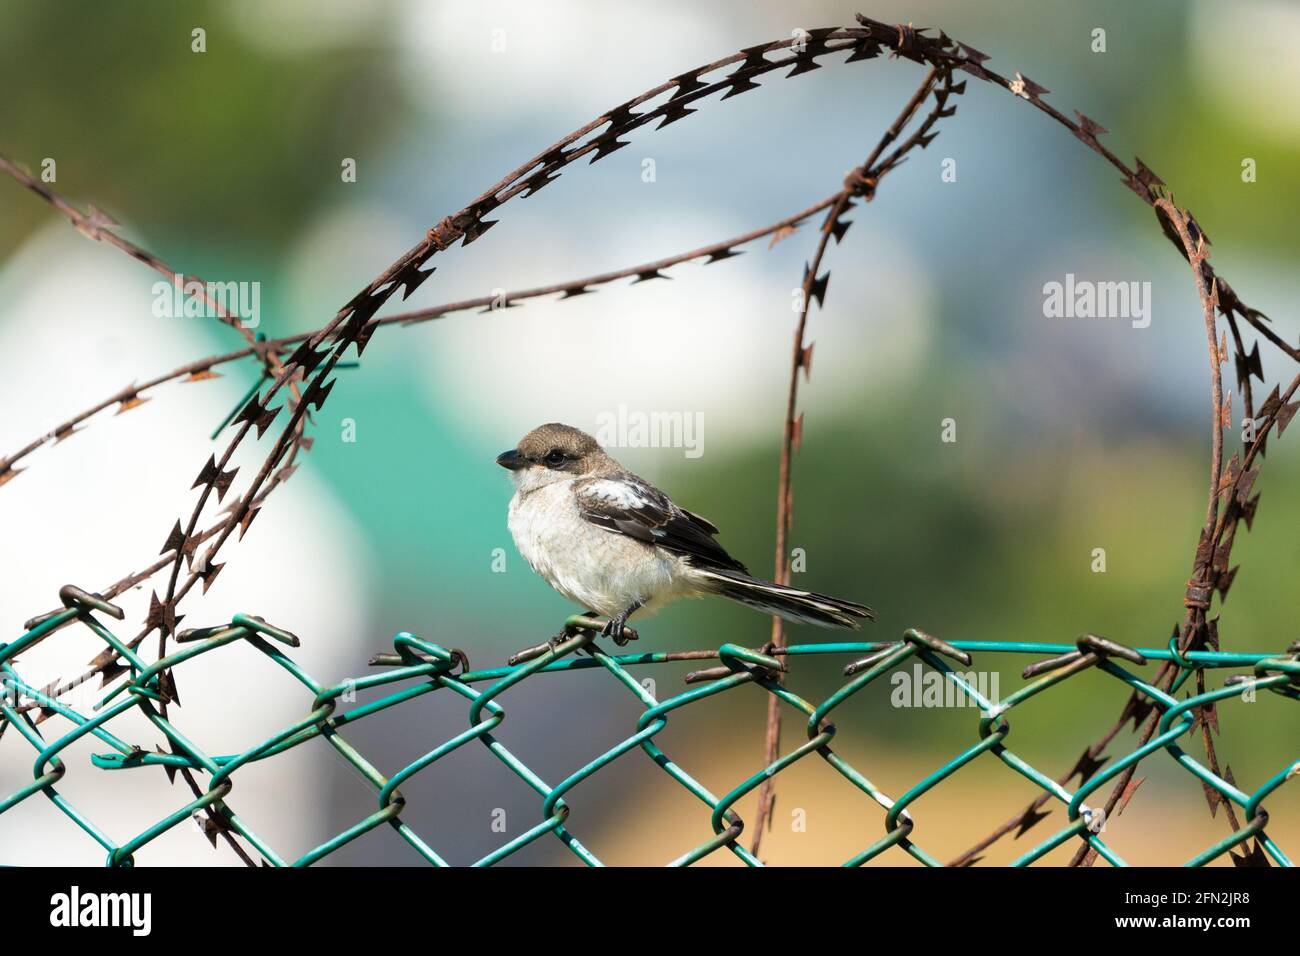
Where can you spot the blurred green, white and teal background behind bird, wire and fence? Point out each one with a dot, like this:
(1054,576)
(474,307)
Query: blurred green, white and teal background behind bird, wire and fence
(1072,435)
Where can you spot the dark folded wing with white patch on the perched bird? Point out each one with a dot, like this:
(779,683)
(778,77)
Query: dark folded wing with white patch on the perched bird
(632,507)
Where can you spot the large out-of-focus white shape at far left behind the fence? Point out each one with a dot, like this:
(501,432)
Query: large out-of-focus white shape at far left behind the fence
(101,505)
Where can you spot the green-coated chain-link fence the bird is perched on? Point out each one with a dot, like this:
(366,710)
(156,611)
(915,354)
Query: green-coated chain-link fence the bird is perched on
(419,668)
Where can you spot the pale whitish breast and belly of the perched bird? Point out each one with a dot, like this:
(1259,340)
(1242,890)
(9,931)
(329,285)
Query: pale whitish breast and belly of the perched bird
(600,570)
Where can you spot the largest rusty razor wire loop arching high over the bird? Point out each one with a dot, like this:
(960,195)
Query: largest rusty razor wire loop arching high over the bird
(357,321)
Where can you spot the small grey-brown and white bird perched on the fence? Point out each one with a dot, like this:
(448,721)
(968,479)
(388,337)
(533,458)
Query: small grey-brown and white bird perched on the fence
(617,546)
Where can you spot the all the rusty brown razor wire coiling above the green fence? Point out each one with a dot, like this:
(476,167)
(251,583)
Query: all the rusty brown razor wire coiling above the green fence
(306,371)
